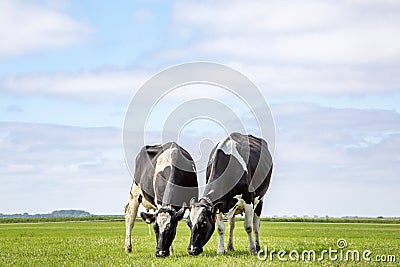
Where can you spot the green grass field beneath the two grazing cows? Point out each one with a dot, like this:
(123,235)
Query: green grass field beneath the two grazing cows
(101,244)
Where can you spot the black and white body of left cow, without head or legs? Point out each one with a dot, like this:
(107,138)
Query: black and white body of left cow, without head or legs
(166,175)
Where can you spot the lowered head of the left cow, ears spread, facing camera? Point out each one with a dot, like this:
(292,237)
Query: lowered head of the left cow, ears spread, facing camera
(165,222)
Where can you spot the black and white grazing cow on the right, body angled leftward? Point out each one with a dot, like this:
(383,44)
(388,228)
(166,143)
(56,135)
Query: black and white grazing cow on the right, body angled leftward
(238,176)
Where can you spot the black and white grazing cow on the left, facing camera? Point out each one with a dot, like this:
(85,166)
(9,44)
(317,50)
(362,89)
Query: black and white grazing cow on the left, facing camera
(164,178)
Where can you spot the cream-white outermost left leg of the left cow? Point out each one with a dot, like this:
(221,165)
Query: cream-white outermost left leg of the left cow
(130,215)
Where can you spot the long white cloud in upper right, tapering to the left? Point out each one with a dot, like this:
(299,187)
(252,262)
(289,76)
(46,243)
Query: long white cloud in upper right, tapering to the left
(341,46)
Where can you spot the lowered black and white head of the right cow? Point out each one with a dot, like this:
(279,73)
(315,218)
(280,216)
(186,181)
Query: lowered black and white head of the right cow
(202,225)
